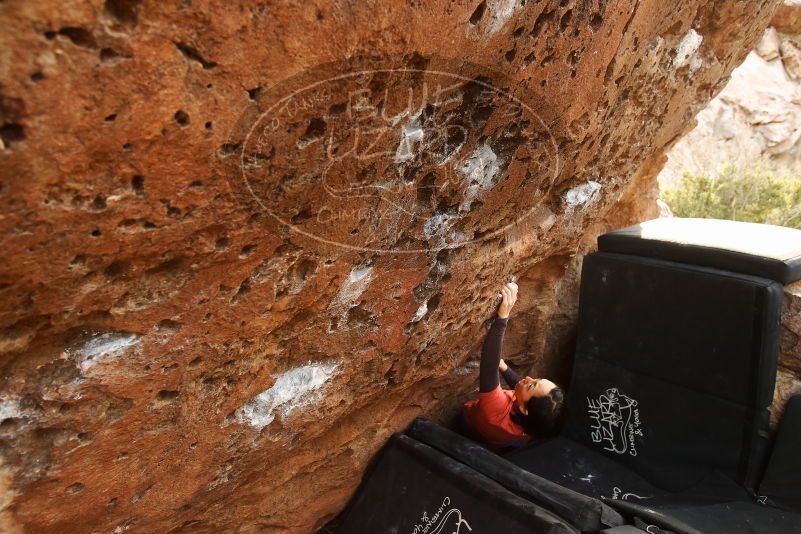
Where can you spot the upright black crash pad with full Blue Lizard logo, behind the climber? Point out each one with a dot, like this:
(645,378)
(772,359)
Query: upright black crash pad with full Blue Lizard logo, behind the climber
(674,369)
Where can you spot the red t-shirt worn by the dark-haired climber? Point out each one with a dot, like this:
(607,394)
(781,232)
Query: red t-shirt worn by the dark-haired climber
(489,415)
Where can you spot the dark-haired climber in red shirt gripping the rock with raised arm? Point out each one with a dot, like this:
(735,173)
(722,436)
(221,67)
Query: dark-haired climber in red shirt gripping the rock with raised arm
(533,408)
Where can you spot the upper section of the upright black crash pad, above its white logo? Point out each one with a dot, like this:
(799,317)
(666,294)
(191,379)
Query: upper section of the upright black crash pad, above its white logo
(713,331)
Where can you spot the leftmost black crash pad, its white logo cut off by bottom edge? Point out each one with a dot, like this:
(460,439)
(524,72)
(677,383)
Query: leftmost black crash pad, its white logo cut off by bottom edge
(414,489)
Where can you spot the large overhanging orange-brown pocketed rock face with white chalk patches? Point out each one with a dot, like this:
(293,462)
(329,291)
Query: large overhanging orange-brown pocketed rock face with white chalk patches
(207,329)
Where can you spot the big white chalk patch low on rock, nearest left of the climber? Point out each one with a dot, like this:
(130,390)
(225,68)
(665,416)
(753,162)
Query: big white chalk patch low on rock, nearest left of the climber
(293,389)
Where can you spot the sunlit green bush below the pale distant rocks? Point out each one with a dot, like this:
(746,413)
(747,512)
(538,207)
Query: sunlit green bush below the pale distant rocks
(753,196)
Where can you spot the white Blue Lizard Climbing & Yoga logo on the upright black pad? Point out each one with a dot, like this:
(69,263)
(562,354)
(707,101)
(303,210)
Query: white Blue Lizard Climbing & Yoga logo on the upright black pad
(615,421)
